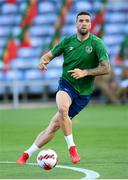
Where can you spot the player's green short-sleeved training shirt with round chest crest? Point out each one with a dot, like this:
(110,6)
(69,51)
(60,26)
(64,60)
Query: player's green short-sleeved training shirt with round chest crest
(83,55)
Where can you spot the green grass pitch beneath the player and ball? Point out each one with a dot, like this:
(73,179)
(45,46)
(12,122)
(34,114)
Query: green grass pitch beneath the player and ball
(100,132)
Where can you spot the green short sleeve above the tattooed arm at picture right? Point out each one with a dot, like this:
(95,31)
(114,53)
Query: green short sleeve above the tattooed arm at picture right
(101,50)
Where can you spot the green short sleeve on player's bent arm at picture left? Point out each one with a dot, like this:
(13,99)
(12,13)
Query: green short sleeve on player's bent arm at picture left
(58,49)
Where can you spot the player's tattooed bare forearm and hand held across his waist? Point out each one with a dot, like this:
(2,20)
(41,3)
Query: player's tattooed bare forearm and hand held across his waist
(103,68)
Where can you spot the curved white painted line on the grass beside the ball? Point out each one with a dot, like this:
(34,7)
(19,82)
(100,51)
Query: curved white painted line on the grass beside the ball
(89,174)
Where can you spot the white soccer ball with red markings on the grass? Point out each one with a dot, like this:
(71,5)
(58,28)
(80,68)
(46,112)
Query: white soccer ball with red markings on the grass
(47,159)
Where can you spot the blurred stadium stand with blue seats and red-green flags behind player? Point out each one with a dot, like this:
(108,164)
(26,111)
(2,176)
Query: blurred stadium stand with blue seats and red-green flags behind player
(29,28)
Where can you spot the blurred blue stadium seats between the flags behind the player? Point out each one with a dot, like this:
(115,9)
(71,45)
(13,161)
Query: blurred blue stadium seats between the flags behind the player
(24,67)
